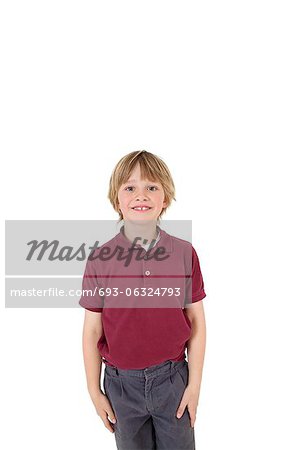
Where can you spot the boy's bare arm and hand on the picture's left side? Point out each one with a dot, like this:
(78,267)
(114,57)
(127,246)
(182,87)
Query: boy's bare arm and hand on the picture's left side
(92,331)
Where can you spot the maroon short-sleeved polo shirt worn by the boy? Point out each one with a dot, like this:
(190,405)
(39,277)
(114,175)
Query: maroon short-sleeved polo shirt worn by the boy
(148,328)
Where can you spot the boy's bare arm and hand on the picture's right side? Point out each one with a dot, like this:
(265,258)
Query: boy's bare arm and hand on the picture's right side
(196,352)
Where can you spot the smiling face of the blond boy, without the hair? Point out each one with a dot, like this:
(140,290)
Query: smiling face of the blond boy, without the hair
(137,192)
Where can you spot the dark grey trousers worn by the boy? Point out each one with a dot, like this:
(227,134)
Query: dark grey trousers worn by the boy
(145,402)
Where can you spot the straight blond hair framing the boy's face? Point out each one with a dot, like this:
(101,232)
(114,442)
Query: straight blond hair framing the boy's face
(151,166)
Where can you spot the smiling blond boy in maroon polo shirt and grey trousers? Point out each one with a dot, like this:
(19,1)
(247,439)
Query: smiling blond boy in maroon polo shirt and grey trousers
(151,391)
